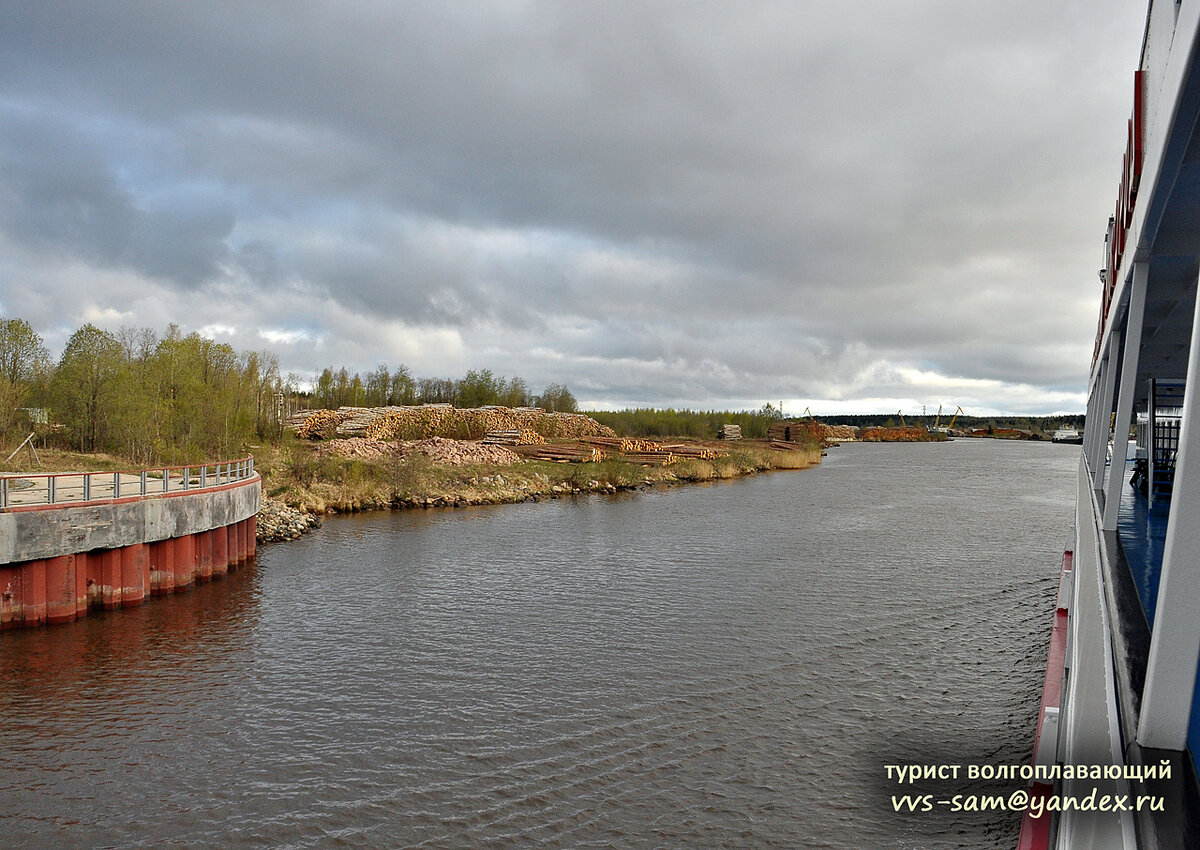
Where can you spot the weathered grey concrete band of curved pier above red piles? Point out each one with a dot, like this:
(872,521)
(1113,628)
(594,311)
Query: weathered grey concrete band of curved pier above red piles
(32,534)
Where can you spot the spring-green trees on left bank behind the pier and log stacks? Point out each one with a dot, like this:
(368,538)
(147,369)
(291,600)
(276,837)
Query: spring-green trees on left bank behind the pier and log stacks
(175,398)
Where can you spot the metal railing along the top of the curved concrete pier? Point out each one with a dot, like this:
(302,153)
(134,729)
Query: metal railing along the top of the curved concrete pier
(65,488)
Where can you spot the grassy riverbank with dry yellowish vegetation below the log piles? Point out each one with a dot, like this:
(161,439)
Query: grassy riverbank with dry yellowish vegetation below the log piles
(304,476)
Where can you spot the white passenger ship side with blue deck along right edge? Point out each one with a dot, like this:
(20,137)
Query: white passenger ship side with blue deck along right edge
(1119,729)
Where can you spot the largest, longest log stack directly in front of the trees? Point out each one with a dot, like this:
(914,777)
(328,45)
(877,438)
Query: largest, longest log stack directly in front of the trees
(422,422)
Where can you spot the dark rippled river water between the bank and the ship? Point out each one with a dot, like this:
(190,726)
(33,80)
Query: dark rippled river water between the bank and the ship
(721,666)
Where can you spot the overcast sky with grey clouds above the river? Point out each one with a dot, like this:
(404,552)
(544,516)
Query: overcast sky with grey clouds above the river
(853,207)
